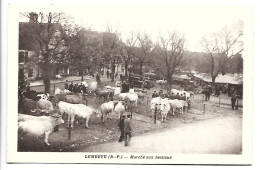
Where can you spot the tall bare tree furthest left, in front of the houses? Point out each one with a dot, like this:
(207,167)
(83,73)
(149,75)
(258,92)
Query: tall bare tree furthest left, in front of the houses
(46,30)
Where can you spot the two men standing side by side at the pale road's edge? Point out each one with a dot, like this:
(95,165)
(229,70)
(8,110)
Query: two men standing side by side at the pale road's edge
(125,128)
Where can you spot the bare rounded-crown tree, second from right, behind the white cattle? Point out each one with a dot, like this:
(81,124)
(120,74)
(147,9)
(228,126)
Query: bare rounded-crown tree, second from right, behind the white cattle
(169,55)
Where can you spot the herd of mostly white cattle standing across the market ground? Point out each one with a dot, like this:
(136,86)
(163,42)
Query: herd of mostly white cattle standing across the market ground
(42,112)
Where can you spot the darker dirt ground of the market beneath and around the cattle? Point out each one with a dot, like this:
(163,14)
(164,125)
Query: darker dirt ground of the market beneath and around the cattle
(142,123)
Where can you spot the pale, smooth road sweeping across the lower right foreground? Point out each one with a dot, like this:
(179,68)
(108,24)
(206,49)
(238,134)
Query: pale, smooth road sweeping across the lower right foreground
(215,136)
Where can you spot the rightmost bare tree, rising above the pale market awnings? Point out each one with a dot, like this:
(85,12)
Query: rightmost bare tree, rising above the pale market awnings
(223,46)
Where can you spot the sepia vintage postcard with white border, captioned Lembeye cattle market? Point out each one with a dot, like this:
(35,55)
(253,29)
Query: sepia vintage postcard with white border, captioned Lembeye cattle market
(130,83)
